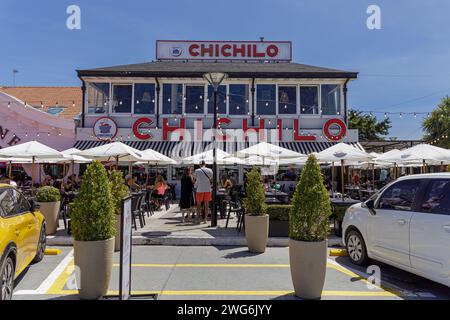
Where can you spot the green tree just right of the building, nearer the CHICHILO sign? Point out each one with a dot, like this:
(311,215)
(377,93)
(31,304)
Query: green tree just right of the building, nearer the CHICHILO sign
(369,128)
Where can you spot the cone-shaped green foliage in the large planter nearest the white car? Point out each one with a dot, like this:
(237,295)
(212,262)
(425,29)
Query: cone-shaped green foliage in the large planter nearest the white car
(311,209)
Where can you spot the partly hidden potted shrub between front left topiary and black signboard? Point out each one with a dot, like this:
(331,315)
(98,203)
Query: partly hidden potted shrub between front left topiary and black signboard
(118,191)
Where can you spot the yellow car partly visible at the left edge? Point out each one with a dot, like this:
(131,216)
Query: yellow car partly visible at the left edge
(22,237)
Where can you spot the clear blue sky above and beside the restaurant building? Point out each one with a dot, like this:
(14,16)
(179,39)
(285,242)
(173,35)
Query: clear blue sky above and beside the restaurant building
(404,67)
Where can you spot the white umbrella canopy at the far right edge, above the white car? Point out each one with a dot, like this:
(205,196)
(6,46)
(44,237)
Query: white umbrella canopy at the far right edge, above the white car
(419,153)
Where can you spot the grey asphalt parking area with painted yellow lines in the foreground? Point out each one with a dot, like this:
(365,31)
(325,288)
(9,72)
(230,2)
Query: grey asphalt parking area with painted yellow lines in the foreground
(224,273)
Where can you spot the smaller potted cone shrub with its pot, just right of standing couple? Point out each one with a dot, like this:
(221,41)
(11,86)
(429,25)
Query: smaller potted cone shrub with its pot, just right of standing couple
(256,219)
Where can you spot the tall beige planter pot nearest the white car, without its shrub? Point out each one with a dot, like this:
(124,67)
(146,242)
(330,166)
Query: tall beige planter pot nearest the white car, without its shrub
(308,262)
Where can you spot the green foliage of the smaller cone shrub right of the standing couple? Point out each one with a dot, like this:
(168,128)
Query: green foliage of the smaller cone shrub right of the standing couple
(255,195)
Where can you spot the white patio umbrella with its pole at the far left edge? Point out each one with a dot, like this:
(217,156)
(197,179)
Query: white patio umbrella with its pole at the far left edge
(34,150)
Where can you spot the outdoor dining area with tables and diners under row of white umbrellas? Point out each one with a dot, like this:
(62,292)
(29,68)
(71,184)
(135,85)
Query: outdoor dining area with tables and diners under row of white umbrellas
(351,175)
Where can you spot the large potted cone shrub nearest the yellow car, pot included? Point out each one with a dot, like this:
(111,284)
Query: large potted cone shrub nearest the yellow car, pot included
(92,222)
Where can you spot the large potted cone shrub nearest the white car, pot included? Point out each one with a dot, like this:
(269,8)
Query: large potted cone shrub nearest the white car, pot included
(308,232)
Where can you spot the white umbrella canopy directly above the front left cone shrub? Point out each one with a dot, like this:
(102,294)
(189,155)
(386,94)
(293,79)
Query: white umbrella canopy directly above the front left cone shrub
(115,150)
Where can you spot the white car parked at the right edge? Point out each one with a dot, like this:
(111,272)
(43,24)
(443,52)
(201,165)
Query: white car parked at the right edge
(406,225)
